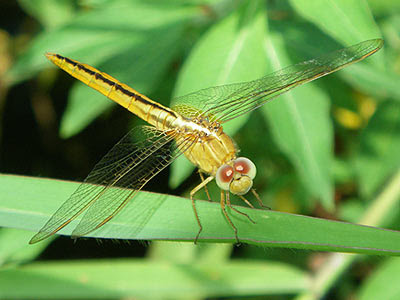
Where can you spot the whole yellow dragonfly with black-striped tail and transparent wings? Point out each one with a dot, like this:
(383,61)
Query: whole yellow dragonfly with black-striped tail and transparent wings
(192,127)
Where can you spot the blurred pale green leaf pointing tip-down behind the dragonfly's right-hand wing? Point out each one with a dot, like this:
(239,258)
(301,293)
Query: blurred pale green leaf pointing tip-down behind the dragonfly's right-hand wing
(301,126)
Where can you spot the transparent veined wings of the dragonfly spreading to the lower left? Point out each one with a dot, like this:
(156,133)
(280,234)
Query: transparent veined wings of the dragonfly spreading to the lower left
(115,180)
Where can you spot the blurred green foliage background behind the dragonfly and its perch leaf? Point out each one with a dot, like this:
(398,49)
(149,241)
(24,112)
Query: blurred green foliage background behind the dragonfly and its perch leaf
(328,149)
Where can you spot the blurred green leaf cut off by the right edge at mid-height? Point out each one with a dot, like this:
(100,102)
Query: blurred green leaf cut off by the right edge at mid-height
(378,155)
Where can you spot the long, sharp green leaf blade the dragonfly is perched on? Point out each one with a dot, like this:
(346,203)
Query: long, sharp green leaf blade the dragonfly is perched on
(27,203)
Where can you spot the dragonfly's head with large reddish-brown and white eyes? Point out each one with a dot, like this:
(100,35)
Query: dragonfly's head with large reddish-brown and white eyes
(237,176)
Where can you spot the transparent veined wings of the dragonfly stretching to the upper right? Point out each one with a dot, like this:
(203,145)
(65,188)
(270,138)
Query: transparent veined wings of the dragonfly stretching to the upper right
(226,102)
